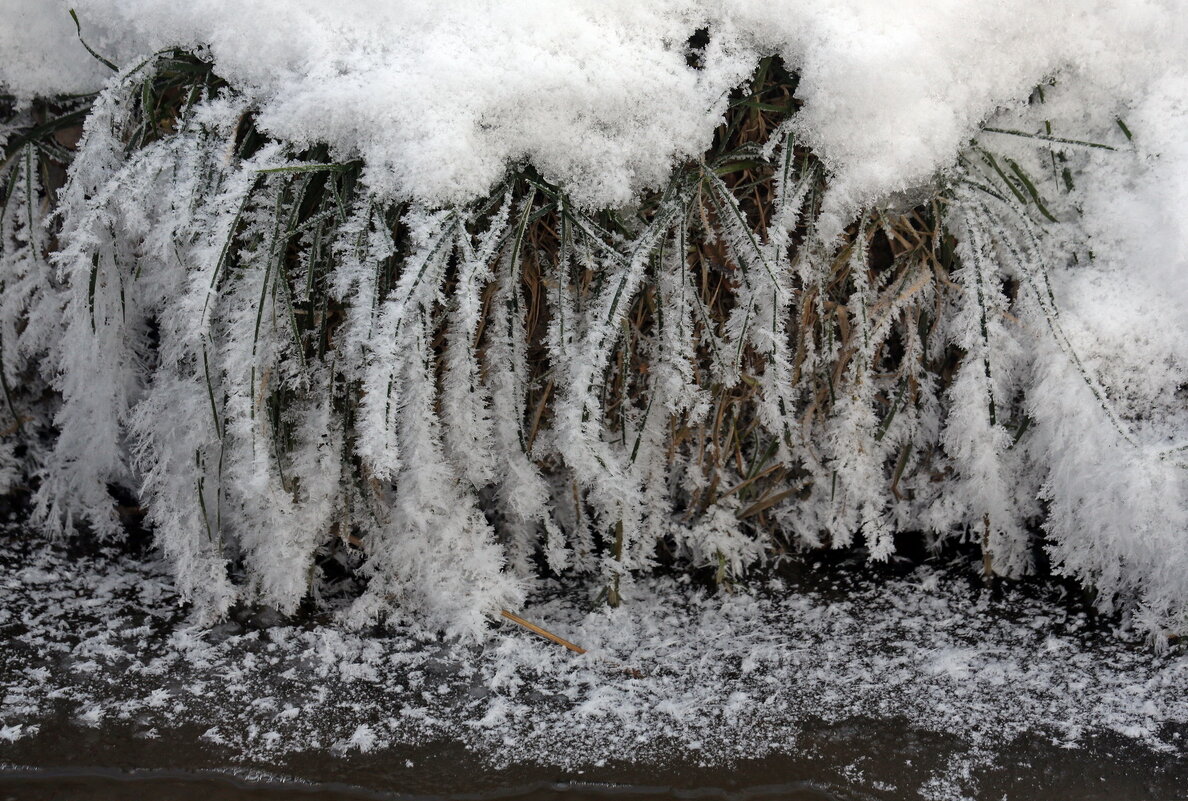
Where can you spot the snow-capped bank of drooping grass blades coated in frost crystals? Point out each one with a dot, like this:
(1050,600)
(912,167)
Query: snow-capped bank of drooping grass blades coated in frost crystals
(445,299)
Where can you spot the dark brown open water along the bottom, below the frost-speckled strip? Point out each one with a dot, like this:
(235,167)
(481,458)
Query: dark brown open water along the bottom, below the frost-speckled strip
(862,760)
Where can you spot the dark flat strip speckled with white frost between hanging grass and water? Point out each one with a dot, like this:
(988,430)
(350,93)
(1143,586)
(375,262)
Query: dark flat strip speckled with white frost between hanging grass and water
(715,679)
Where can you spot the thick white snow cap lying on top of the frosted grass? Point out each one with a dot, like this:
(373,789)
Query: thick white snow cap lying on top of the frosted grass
(439,99)
